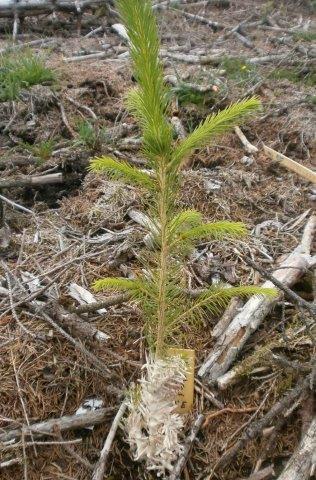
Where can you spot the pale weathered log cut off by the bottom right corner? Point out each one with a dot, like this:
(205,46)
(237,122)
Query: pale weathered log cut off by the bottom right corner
(301,465)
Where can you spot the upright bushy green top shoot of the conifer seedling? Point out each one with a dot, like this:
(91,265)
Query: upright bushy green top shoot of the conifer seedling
(149,102)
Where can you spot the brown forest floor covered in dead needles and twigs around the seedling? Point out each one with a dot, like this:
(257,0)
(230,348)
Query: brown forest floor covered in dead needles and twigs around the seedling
(81,227)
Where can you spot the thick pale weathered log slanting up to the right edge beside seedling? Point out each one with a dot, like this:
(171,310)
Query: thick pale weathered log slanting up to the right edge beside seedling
(231,342)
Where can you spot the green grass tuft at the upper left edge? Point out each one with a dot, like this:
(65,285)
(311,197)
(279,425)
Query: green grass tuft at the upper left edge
(21,70)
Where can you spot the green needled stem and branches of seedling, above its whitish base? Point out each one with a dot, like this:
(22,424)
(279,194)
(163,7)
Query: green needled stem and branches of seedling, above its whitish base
(162,289)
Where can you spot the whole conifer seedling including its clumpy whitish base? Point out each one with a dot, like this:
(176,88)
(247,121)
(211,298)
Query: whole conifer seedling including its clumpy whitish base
(153,426)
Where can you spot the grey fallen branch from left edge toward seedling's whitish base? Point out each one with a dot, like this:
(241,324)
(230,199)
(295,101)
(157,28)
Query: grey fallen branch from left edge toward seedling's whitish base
(67,422)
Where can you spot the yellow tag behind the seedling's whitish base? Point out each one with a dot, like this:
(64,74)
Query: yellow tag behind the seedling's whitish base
(186,396)
